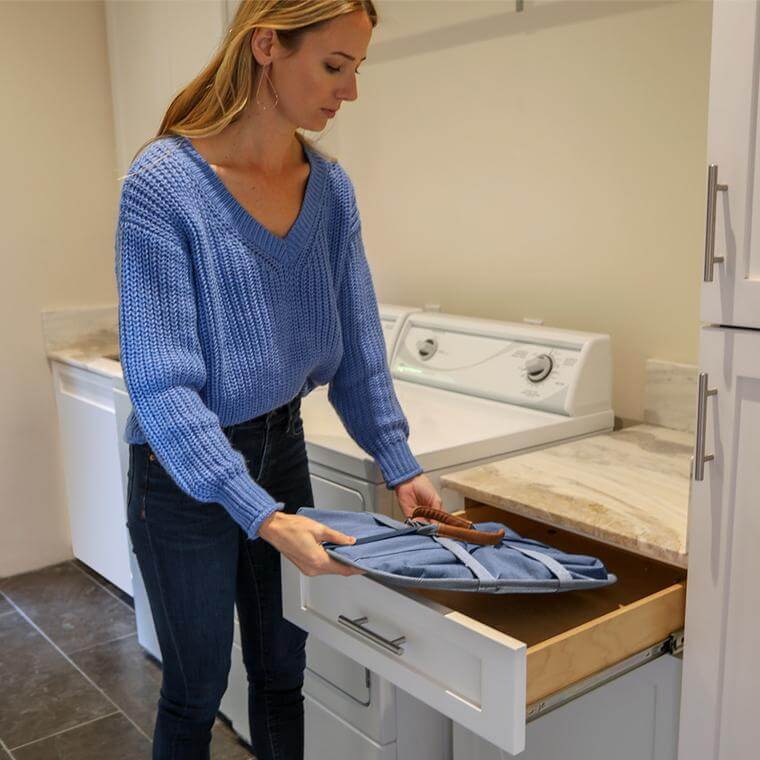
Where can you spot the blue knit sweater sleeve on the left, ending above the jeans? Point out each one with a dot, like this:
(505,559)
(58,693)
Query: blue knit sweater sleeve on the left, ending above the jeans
(164,371)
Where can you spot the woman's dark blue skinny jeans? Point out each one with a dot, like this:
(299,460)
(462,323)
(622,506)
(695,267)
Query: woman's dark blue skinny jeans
(197,565)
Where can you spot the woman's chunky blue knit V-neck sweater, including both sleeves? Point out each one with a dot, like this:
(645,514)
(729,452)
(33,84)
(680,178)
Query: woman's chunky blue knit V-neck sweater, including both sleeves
(221,321)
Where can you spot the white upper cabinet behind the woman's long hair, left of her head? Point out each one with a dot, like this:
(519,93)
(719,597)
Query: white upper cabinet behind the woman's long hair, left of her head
(154,49)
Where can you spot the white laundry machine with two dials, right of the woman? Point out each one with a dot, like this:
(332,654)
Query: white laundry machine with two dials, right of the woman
(473,391)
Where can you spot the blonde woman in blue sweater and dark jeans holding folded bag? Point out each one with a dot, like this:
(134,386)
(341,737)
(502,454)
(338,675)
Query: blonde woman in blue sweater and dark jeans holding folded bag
(243,285)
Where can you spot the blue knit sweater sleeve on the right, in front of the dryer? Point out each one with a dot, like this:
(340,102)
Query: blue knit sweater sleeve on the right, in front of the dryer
(362,390)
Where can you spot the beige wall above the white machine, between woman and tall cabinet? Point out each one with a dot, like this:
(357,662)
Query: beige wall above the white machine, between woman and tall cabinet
(548,164)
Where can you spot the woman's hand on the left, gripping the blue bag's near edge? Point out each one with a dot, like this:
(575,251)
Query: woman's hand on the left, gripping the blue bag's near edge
(298,538)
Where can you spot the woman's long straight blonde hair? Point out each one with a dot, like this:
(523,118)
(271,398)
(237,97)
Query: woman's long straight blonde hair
(218,95)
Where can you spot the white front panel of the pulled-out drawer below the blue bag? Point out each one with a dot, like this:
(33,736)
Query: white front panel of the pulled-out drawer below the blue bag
(468,671)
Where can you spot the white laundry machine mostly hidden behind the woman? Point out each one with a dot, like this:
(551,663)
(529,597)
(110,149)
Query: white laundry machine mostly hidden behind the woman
(235,702)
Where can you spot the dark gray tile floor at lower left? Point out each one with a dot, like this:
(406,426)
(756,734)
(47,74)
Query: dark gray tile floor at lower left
(76,685)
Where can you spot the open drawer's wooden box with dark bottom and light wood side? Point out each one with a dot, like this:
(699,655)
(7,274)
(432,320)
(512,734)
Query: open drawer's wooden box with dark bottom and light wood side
(574,634)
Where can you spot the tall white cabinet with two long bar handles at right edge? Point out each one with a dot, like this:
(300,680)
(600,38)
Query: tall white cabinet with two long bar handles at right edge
(721,667)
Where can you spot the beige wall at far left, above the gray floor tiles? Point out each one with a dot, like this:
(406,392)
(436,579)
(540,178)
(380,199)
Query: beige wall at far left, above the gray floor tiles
(58,199)
